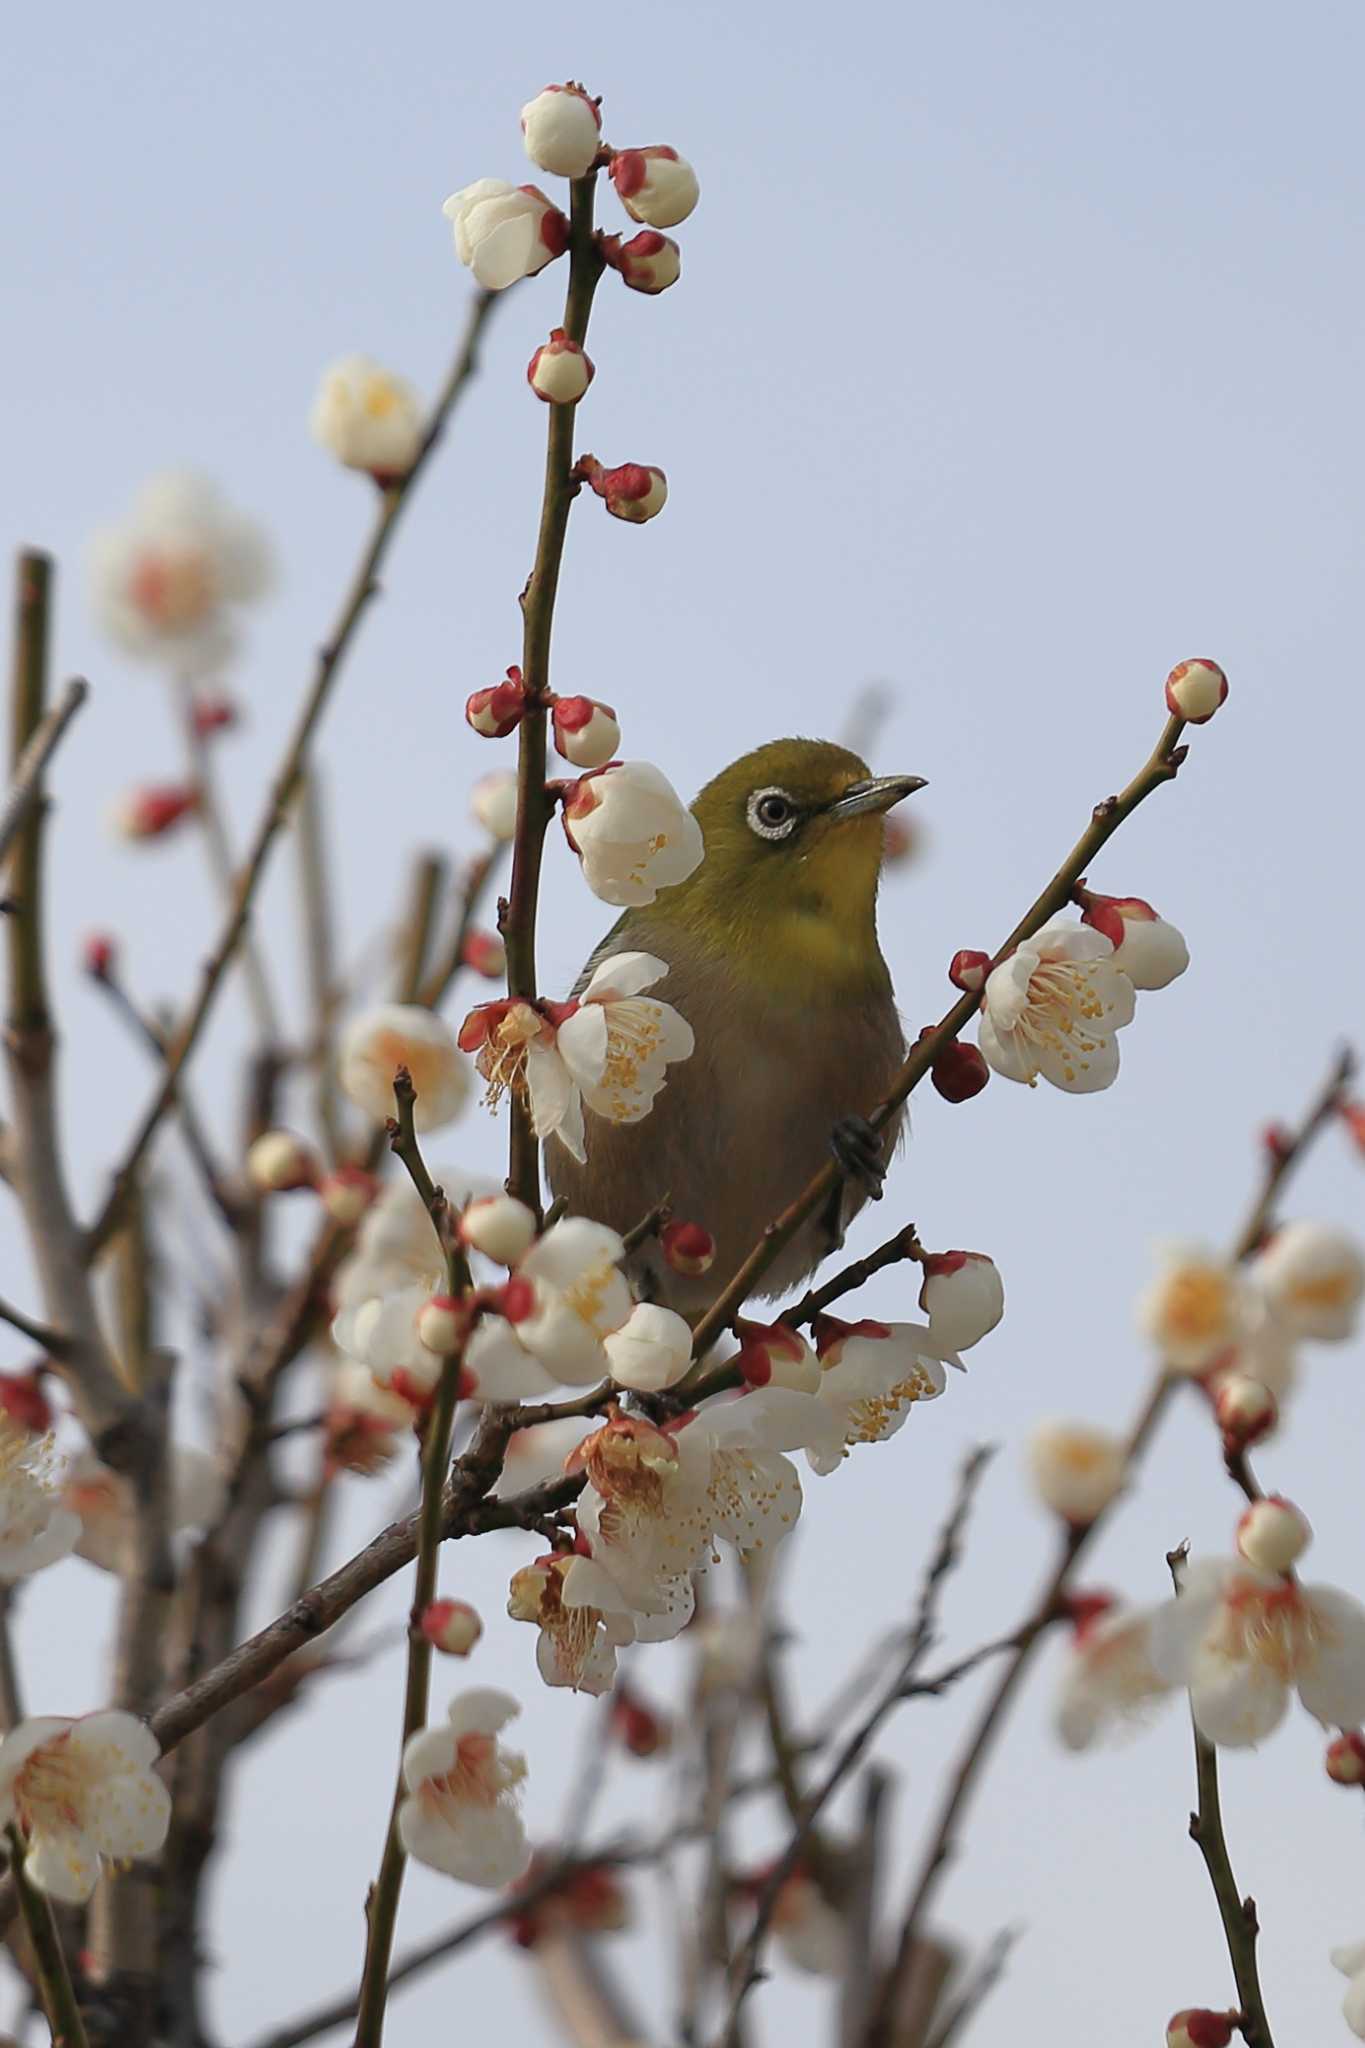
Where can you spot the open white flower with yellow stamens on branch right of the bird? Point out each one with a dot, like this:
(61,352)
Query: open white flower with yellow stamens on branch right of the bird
(1053,1009)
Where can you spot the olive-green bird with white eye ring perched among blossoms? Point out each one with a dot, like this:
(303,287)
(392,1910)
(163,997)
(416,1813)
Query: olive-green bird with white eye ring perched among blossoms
(775,962)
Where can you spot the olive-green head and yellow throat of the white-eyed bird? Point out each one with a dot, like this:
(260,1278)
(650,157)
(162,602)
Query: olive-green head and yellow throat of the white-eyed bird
(793,857)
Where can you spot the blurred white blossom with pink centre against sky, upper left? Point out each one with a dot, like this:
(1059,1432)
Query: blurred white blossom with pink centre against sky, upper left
(167,583)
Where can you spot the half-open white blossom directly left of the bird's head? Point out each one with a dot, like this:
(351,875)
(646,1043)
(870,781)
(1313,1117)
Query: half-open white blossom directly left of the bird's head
(631,833)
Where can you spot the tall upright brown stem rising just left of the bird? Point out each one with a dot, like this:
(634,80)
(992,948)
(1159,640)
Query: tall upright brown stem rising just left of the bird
(535,806)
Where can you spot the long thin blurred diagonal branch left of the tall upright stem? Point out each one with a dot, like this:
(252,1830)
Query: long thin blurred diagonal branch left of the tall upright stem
(365,587)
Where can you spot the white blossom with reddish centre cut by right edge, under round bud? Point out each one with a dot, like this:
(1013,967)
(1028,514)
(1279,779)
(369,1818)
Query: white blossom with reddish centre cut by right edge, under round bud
(1243,1639)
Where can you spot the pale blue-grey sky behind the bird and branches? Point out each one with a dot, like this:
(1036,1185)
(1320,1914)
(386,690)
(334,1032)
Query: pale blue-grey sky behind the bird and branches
(1016,357)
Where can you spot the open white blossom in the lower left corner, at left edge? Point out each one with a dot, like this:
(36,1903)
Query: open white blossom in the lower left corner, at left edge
(83,1793)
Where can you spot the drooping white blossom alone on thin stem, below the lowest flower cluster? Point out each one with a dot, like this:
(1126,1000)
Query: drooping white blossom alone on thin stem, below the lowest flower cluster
(461,1811)
